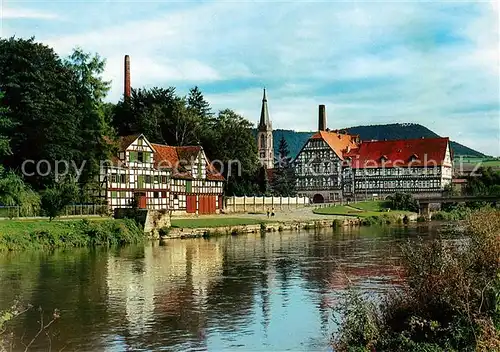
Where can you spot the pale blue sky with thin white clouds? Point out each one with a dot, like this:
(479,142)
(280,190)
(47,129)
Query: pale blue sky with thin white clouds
(370,62)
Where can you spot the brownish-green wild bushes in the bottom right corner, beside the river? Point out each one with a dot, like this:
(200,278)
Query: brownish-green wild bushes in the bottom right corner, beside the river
(450,302)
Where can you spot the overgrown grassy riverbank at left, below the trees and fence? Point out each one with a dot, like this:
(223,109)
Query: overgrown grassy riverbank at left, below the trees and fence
(43,234)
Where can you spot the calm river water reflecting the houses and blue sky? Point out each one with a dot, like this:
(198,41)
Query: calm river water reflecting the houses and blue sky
(246,292)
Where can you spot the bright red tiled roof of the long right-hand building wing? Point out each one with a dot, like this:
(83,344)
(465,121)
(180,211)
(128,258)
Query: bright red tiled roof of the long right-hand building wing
(429,151)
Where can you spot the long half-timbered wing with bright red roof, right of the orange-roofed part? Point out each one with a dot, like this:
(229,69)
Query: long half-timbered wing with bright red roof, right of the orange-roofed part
(418,166)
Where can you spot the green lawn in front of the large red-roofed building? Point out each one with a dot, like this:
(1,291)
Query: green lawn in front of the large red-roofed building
(359,209)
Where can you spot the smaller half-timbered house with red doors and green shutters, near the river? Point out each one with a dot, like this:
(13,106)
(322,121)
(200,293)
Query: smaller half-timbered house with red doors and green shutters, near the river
(155,176)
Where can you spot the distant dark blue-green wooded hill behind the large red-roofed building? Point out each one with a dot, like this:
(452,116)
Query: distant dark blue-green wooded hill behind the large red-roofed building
(379,132)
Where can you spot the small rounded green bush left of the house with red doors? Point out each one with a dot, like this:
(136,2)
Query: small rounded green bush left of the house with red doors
(57,196)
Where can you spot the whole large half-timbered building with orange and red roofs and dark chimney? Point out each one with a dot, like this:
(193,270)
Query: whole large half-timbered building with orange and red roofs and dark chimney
(335,165)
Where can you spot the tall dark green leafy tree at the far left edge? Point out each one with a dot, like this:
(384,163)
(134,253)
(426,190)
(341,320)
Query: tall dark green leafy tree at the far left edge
(53,106)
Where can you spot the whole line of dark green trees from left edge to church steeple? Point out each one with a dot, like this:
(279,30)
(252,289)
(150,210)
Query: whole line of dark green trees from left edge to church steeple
(54,108)
